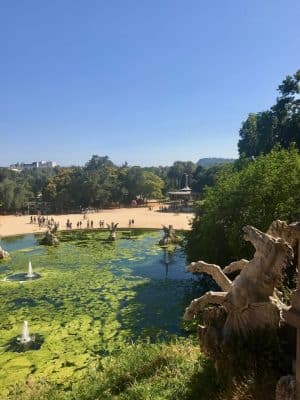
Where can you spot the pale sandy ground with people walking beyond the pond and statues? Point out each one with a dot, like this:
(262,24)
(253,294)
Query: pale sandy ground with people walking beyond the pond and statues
(11,225)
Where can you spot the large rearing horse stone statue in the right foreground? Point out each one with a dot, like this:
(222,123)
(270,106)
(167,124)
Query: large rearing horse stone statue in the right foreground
(251,300)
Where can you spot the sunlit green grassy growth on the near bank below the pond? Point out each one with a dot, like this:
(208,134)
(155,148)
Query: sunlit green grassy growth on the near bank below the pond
(142,371)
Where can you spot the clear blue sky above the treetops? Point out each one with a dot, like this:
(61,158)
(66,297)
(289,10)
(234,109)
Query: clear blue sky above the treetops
(147,82)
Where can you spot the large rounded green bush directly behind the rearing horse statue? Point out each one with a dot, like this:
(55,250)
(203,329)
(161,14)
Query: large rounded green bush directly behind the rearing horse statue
(251,192)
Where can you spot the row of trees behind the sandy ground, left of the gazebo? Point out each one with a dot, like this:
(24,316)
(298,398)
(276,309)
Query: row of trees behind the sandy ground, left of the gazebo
(98,184)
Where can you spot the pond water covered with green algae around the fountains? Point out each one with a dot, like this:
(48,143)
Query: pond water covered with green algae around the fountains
(93,298)
